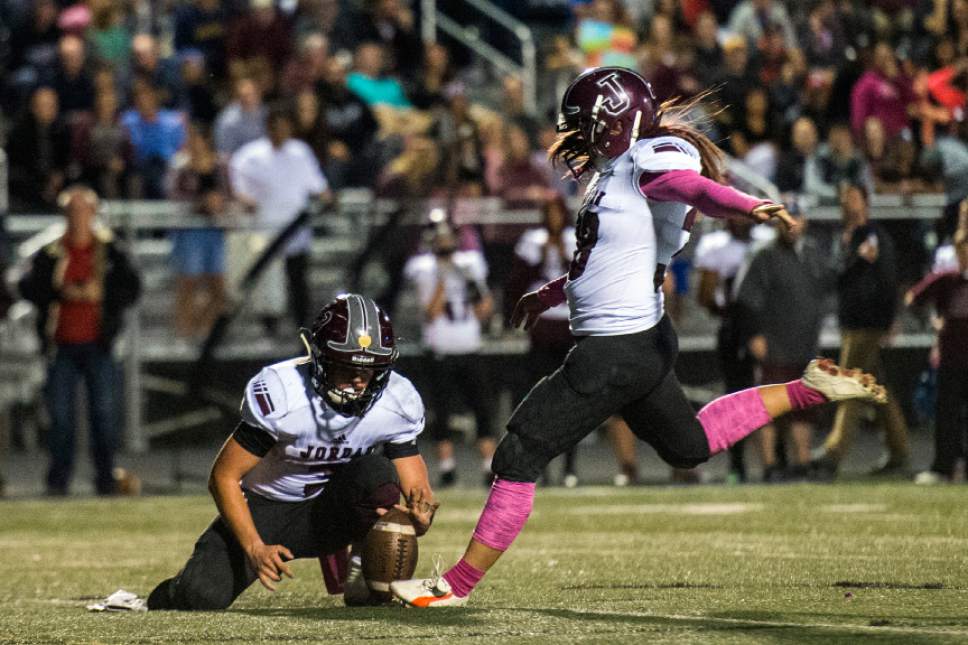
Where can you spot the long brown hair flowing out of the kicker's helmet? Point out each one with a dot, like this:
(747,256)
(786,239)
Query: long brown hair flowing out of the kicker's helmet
(676,120)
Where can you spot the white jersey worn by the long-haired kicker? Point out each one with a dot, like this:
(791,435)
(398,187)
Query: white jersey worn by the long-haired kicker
(621,238)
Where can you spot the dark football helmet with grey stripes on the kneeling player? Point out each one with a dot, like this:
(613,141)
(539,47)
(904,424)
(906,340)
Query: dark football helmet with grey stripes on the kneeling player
(351,332)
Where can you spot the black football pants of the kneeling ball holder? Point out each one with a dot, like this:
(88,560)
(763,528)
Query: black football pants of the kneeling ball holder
(218,571)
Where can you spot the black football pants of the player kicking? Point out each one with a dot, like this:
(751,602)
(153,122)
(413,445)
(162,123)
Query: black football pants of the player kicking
(630,375)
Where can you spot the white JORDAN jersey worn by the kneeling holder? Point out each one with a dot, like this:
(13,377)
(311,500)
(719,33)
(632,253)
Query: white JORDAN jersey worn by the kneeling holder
(312,439)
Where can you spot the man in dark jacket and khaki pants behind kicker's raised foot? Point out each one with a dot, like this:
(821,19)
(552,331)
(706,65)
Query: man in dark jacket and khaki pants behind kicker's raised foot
(867,296)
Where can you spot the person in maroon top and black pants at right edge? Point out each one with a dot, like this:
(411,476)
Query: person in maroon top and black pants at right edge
(948,292)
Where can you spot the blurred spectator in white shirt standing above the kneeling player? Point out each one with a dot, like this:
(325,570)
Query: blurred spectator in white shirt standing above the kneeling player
(276,176)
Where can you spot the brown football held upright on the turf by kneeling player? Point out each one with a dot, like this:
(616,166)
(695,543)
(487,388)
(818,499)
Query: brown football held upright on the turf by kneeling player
(390,553)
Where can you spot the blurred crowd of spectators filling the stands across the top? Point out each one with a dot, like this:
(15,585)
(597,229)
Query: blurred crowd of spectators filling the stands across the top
(811,95)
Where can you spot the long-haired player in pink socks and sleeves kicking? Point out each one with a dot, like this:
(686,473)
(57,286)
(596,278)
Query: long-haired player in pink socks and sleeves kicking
(650,169)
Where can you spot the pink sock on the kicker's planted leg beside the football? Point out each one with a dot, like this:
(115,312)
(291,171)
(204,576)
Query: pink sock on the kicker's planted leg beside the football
(504,515)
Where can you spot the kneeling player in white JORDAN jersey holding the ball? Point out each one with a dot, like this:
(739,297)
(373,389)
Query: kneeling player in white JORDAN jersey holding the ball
(301,475)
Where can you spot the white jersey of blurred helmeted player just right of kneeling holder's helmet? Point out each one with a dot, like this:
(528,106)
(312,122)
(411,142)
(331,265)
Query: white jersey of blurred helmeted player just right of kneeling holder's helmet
(458,331)
